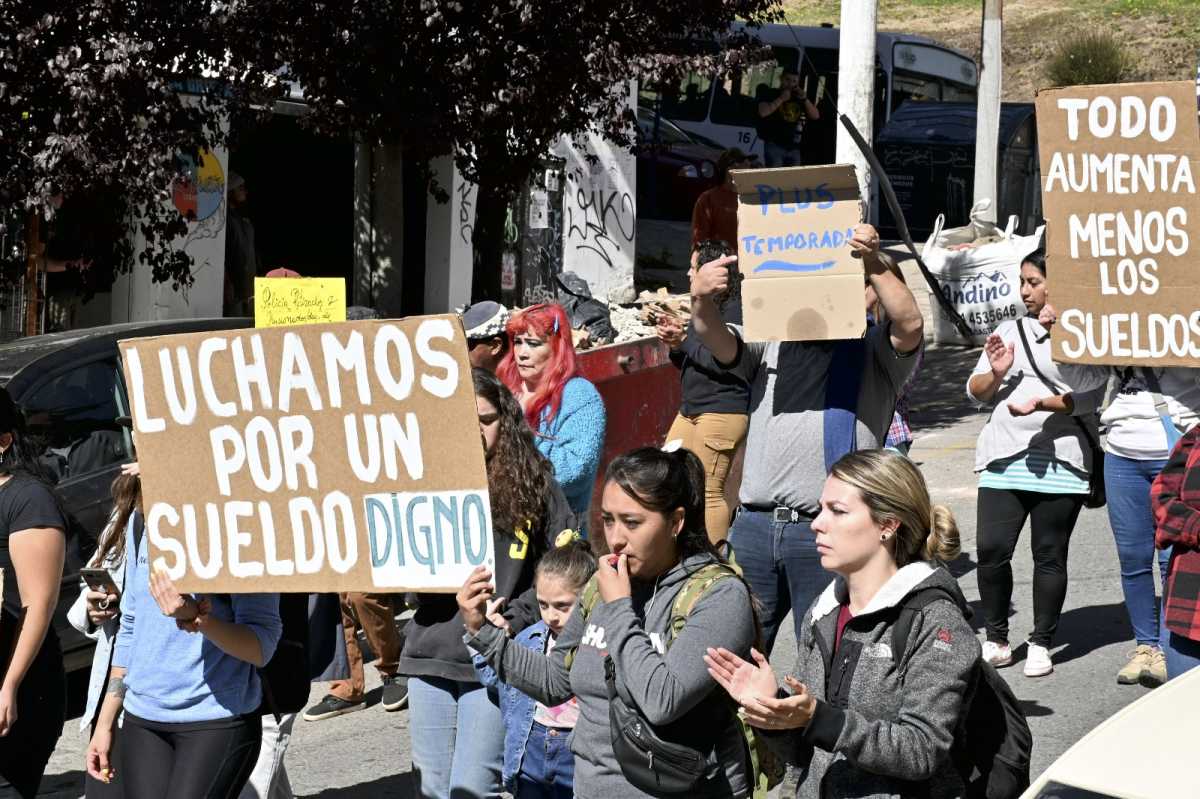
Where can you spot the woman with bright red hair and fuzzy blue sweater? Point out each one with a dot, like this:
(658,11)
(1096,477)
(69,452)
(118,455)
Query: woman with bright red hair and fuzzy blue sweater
(565,410)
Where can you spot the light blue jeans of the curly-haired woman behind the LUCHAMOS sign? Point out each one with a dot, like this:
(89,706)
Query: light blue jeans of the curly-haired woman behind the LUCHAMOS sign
(458,740)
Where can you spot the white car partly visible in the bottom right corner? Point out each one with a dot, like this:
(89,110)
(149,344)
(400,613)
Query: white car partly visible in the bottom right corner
(1143,752)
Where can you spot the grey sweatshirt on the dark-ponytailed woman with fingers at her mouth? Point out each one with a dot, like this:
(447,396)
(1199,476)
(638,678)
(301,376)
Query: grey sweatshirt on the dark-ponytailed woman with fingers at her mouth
(674,692)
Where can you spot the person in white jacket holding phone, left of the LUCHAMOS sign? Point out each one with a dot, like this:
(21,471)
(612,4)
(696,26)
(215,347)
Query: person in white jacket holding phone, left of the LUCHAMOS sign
(97,611)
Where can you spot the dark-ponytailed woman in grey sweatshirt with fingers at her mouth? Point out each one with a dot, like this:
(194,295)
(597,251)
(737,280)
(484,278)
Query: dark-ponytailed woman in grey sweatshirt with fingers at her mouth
(632,650)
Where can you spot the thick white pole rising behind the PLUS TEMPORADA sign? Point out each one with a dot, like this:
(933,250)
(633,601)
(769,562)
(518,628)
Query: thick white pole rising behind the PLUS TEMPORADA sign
(856,85)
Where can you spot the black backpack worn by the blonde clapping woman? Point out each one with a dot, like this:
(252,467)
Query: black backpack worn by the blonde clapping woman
(993,746)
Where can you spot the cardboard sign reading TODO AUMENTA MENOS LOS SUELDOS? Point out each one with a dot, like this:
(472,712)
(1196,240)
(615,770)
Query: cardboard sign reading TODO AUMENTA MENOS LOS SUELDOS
(1119,170)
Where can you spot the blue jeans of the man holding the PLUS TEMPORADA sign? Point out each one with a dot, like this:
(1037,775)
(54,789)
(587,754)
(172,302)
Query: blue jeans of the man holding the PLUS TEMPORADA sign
(781,563)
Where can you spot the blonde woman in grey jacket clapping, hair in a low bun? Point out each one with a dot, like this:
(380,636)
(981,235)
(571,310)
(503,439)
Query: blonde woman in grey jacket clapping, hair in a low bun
(867,716)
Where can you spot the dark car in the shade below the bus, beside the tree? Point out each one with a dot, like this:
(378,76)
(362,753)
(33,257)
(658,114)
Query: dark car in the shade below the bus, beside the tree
(674,169)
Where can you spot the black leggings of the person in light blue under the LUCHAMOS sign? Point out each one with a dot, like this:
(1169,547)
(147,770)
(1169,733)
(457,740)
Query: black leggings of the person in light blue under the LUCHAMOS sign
(205,760)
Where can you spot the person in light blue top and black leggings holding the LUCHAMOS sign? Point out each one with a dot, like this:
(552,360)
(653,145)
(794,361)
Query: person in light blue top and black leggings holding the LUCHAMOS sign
(184,674)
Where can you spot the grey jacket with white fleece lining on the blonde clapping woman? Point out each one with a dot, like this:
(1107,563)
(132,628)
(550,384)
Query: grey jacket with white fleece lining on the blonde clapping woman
(885,729)
